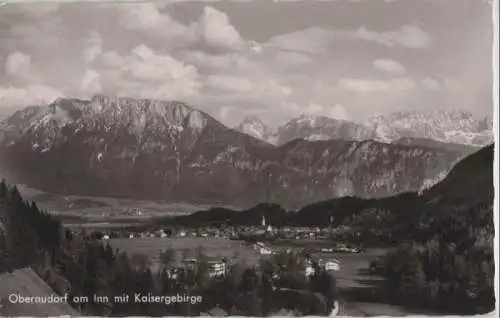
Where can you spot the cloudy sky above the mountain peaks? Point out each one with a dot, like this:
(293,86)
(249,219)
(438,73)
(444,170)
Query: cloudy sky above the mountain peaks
(347,59)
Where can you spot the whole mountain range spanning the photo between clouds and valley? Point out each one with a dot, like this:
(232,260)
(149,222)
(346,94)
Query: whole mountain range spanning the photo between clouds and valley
(167,150)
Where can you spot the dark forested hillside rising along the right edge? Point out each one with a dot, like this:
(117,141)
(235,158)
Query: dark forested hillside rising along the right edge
(448,262)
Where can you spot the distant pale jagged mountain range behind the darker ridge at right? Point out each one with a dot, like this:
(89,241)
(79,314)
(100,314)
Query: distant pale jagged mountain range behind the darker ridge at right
(450,127)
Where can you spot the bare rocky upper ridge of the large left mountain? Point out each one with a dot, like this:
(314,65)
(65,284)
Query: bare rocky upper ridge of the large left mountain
(111,114)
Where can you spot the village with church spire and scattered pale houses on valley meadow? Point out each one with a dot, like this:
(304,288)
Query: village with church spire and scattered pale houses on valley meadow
(255,243)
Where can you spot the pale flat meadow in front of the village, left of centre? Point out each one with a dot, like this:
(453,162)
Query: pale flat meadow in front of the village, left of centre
(186,247)
